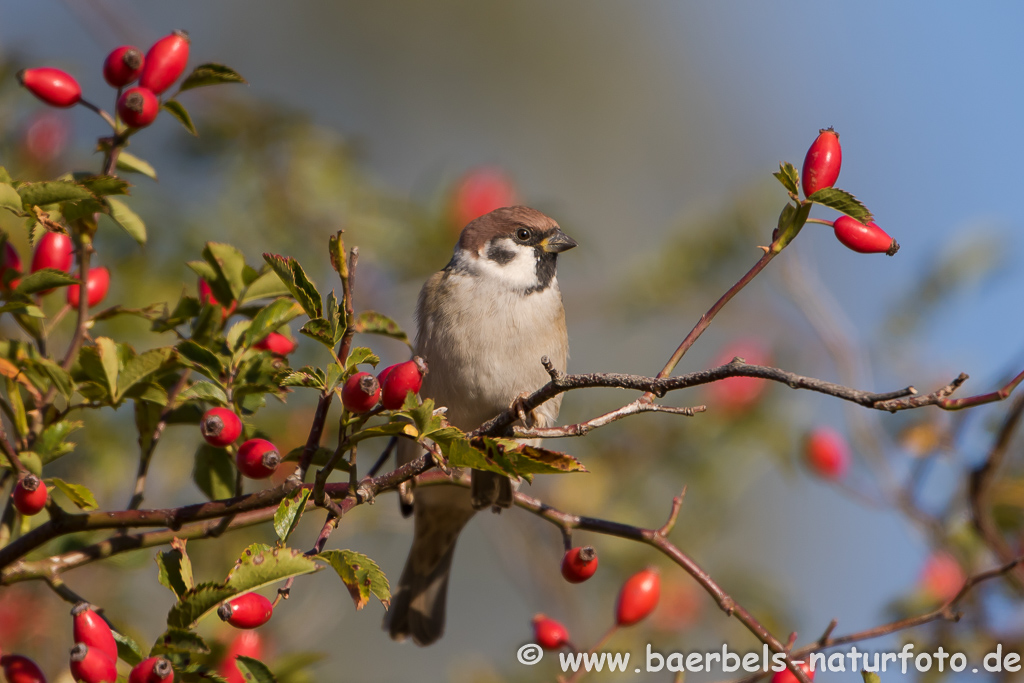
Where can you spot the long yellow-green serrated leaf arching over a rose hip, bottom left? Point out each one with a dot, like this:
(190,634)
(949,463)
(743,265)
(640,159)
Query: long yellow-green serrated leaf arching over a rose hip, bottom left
(258,567)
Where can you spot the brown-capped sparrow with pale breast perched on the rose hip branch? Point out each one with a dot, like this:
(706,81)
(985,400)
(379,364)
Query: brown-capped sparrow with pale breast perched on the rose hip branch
(484,324)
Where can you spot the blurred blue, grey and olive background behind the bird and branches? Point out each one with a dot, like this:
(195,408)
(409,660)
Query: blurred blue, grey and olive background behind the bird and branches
(650,132)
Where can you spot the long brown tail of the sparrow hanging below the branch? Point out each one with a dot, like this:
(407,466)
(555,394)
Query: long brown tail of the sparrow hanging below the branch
(419,605)
